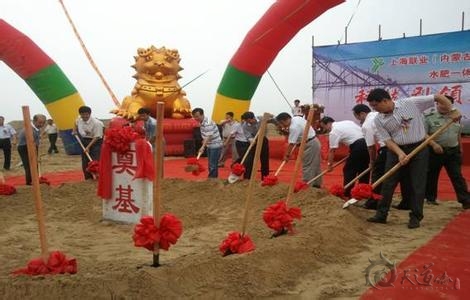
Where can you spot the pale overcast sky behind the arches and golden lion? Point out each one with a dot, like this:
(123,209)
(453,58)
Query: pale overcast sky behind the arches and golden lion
(206,33)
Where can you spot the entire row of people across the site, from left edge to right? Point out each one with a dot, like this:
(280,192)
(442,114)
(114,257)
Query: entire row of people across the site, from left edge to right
(384,138)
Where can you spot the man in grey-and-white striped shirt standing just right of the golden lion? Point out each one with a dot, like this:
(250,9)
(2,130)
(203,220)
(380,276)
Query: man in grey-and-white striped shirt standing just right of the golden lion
(211,136)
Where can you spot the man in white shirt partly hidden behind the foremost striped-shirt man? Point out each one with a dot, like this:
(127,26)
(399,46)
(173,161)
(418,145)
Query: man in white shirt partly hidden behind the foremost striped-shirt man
(378,157)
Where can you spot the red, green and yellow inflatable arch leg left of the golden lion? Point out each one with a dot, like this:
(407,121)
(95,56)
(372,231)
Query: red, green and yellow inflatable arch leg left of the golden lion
(45,78)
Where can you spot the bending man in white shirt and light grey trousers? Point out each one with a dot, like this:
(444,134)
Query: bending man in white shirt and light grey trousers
(311,157)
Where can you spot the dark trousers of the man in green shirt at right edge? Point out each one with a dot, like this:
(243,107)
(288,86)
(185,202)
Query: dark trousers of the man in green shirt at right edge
(451,160)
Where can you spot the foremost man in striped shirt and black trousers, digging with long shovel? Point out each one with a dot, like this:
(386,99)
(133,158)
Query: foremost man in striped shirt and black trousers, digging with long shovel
(400,125)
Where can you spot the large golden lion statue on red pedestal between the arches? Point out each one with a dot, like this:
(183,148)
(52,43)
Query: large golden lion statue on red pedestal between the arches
(157,81)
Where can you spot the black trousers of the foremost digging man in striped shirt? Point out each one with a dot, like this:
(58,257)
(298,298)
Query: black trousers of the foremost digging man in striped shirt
(415,170)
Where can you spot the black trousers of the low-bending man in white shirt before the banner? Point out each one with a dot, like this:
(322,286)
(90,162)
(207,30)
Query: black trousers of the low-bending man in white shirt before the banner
(357,162)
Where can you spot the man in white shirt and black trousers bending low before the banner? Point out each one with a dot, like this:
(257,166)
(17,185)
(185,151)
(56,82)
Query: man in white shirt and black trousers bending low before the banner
(350,134)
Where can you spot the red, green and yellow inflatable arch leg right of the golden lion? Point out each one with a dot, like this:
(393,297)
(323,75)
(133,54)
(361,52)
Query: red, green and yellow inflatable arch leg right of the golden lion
(258,50)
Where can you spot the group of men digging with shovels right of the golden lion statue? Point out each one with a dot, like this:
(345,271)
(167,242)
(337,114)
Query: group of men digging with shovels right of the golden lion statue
(384,138)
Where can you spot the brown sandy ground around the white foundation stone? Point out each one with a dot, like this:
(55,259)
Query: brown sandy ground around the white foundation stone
(325,259)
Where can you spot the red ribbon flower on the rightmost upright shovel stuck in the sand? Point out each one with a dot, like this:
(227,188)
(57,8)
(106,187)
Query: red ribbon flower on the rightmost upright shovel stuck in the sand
(279,218)
